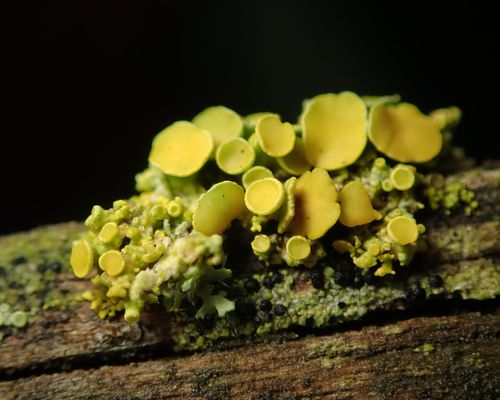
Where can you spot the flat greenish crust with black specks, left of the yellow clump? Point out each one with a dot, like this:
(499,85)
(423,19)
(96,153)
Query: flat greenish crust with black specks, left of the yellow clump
(31,266)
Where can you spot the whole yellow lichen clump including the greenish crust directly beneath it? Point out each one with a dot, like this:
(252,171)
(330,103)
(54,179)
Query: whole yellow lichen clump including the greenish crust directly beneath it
(280,184)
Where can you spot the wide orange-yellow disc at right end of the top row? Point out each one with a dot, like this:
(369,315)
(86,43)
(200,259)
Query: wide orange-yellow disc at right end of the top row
(403,133)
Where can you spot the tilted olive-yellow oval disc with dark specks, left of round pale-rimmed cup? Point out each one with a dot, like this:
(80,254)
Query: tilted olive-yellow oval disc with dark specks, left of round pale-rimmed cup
(216,208)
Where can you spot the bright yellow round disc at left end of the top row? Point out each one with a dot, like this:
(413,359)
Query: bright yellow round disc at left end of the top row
(181,149)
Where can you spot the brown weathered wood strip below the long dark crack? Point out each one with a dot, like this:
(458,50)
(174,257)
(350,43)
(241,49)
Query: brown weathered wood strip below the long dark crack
(454,357)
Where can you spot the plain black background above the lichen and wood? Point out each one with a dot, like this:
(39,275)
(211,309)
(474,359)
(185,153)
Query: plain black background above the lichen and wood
(93,82)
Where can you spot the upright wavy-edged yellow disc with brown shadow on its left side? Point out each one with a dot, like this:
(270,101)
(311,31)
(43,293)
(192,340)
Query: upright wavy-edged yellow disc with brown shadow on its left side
(316,206)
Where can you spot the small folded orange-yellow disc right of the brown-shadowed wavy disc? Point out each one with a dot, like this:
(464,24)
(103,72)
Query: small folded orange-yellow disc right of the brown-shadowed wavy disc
(355,205)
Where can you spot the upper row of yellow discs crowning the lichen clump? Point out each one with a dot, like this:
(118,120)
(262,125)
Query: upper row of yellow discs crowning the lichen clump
(332,132)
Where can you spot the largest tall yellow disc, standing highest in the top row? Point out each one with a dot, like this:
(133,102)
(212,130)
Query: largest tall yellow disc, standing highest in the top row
(334,129)
